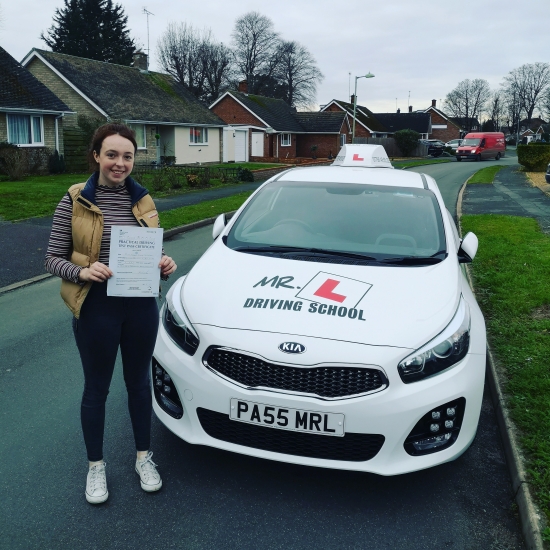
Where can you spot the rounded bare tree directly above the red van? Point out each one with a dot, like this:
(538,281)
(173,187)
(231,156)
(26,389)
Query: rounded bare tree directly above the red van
(467,101)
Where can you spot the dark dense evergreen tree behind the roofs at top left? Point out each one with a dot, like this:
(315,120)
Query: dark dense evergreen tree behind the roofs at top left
(95,29)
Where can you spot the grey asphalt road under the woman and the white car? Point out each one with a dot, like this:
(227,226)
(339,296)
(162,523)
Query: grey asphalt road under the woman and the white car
(211,499)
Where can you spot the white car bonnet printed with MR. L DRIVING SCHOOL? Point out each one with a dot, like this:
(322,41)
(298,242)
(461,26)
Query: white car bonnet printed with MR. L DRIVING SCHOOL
(375,305)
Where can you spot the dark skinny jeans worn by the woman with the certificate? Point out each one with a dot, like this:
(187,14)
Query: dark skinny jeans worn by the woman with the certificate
(105,323)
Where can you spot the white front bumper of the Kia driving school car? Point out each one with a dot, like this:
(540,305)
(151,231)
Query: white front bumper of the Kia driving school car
(390,414)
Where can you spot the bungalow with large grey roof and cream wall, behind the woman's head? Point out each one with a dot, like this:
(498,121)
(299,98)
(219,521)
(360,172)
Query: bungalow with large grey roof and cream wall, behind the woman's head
(168,120)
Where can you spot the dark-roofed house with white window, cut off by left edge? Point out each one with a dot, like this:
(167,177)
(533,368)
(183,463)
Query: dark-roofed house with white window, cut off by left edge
(30,114)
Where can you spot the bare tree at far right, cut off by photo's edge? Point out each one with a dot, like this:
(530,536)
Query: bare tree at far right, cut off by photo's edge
(529,83)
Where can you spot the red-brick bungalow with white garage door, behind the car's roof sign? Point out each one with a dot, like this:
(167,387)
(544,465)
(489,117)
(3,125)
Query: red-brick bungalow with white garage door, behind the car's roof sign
(262,128)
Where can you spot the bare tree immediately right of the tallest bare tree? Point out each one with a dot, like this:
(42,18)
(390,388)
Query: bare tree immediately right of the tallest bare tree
(298,74)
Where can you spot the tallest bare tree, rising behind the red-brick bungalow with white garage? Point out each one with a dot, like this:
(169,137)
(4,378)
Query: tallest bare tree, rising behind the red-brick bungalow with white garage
(256,49)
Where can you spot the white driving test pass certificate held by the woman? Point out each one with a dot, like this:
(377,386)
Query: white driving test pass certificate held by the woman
(134,259)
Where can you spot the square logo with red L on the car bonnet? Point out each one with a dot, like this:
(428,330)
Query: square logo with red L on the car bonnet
(326,288)
